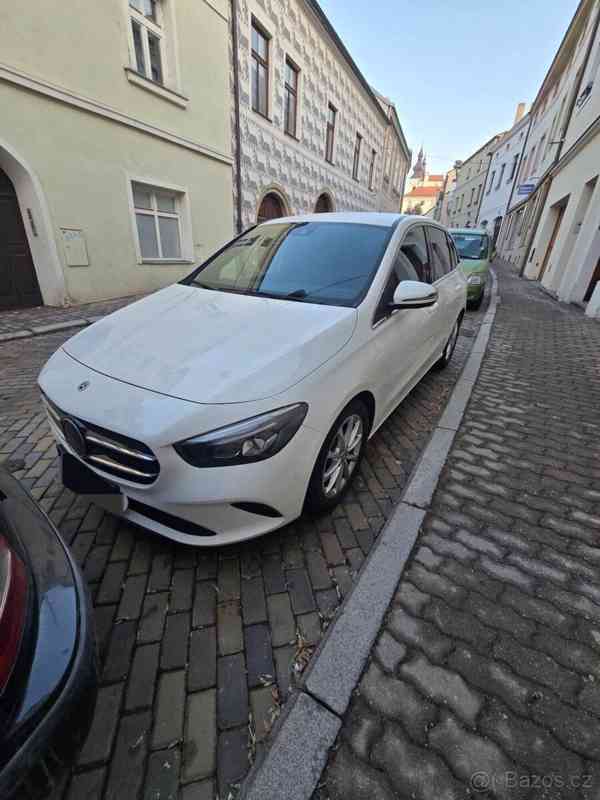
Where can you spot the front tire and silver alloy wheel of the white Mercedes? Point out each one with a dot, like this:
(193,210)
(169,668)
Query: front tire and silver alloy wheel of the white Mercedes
(320,499)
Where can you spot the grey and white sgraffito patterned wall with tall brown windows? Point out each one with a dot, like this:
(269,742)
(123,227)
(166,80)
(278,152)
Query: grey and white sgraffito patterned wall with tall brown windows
(297,169)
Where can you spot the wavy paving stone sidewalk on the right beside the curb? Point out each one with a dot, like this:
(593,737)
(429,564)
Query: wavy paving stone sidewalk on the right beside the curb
(485,678)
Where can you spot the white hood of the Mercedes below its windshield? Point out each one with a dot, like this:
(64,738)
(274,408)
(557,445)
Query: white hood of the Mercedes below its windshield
(213,347)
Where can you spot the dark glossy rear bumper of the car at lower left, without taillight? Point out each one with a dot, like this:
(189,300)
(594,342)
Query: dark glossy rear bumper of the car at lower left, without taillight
(57,691)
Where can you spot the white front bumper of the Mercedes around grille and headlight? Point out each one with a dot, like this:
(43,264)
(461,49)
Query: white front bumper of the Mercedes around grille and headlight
(207,498)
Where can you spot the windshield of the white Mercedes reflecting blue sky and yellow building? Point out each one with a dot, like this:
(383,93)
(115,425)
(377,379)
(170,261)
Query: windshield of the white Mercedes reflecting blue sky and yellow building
(330,263)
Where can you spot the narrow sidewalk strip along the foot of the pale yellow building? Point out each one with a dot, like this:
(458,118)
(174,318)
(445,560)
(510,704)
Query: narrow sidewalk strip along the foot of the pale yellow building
(27,321)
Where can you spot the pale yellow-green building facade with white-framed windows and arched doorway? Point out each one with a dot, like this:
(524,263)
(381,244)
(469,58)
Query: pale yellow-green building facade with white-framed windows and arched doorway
(115,151)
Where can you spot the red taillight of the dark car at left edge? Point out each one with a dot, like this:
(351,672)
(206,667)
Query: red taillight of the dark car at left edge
(13,609)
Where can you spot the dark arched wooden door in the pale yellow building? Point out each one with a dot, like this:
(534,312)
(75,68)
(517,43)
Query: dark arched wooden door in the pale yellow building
(19,286)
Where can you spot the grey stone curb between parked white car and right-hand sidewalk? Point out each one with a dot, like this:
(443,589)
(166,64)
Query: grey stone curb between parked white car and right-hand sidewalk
(300,743)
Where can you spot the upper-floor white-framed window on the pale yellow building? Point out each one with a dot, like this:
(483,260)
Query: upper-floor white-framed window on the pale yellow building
(147,30)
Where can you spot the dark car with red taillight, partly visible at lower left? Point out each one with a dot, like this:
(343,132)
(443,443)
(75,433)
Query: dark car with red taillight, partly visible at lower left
(48,670)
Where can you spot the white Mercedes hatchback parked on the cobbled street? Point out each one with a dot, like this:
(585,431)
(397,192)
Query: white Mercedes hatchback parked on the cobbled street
(219,408)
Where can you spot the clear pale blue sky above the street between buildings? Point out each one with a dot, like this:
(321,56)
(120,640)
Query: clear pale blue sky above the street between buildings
(456,70)
